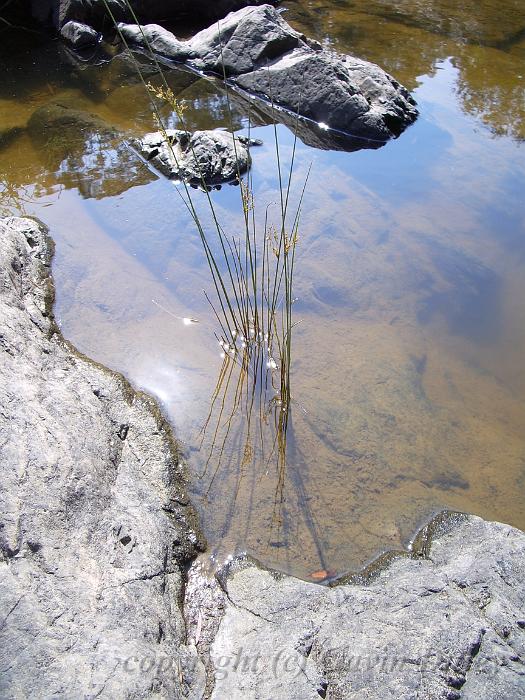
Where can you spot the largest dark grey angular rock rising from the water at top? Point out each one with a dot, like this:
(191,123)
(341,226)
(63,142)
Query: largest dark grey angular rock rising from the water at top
(261,55)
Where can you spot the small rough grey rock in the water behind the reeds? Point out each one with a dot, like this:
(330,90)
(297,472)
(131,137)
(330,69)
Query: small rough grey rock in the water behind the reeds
(209,158)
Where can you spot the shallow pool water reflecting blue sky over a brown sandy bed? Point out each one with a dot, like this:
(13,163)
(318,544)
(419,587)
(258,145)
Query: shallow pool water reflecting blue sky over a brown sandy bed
(408,378)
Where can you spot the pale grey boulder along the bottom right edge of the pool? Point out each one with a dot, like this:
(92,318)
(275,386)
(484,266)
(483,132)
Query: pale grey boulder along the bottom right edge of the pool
(443,626)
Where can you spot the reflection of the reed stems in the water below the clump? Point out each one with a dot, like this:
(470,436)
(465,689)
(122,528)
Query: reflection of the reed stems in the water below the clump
(245,441)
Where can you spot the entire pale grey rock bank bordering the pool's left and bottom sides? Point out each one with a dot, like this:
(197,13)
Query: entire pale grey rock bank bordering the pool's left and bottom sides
(97,532)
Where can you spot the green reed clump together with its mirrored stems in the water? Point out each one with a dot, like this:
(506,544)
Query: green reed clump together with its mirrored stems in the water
(252,274)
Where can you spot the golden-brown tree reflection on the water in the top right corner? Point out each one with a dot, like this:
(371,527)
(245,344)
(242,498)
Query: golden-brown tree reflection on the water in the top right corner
(408,38)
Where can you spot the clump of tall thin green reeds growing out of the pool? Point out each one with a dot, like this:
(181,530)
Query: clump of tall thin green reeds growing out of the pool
(259,269)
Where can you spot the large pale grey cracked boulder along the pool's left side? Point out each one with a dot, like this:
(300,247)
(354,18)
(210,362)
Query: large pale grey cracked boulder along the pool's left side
(95,524)
